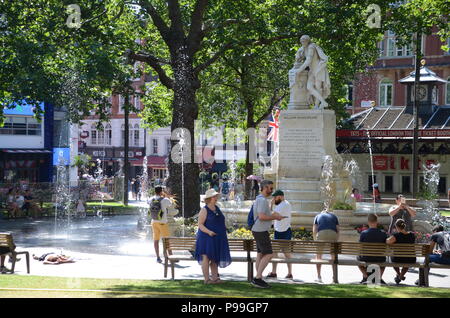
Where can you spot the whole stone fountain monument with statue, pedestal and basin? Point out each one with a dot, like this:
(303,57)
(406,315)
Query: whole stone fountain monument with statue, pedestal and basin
(308,168)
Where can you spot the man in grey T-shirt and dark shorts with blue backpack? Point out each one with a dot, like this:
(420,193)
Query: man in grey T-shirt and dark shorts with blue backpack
(263,222)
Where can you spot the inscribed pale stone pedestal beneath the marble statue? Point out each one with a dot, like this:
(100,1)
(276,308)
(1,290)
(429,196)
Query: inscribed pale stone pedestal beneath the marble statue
(306,137)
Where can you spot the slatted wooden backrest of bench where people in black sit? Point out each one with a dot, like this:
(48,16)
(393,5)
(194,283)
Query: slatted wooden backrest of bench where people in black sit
(383,249)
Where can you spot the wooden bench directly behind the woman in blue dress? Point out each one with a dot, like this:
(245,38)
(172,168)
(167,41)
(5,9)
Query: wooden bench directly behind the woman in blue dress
(187,245)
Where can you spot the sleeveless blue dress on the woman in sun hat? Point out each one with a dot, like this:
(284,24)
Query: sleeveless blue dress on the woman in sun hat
(215,247)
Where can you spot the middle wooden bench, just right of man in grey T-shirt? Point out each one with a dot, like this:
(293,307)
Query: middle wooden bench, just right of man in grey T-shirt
(299,250)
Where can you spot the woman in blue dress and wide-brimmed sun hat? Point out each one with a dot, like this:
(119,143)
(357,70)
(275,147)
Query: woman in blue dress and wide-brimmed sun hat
(212,250)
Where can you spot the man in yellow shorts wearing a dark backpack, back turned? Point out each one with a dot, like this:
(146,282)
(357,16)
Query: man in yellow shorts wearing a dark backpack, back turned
(159,206)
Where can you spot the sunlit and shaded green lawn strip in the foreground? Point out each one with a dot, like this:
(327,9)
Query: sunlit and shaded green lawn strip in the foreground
(39,286)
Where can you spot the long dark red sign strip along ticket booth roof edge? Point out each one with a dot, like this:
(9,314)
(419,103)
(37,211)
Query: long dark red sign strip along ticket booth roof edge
(437,133)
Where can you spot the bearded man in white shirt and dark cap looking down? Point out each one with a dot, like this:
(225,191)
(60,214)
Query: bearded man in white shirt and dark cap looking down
(282,227)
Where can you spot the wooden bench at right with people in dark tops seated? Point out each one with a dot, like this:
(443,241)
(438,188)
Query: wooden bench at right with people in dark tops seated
(382,249)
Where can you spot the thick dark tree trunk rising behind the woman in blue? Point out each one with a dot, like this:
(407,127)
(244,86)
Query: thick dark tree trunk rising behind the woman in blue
(185,112)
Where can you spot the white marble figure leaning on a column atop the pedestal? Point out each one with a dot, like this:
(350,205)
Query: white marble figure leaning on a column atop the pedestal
(309,80)
